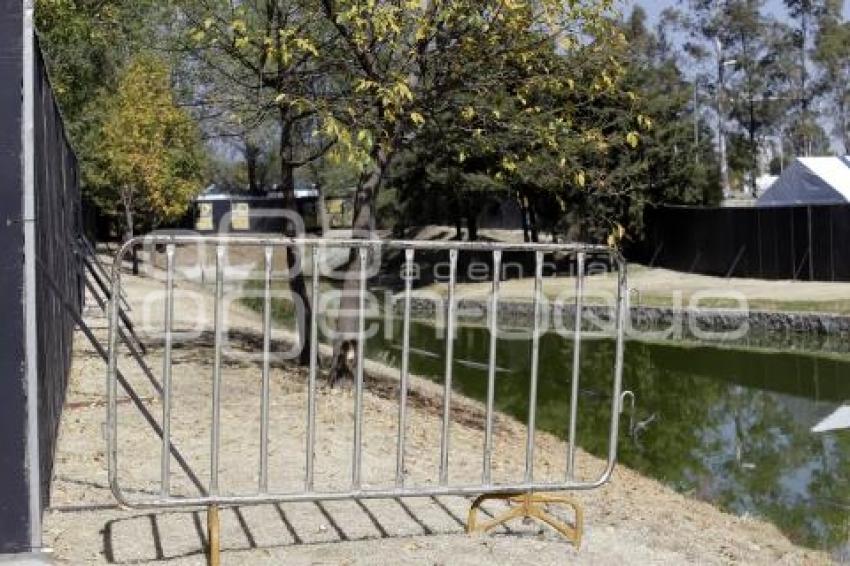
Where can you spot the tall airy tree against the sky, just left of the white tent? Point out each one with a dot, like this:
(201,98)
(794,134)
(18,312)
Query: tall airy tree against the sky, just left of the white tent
(753,77)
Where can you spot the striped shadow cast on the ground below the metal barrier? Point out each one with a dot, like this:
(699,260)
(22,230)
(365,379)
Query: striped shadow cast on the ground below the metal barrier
(163,536)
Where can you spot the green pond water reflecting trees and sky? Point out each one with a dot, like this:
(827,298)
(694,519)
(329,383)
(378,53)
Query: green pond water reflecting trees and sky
(728,426)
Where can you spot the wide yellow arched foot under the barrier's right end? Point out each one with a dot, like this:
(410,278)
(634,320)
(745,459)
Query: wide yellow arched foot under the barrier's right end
(529,505)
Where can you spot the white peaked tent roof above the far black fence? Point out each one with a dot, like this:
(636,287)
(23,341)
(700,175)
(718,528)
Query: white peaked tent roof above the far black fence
(811,180)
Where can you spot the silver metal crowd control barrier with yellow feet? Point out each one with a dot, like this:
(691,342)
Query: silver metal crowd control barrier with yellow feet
(528,493)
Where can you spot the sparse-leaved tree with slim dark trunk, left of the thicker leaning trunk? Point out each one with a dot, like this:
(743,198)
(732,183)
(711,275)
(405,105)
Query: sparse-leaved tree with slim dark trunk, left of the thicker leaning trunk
(254,63)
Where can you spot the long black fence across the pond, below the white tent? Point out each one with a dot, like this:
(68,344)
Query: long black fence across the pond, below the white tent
(793,242)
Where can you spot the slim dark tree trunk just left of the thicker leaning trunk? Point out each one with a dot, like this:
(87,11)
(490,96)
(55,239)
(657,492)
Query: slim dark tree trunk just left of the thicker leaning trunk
(295,269)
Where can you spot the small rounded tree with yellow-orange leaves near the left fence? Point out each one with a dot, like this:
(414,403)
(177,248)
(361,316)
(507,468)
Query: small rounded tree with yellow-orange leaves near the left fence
(149,154)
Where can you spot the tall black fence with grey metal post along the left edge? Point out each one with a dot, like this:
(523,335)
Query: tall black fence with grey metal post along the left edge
(37,242)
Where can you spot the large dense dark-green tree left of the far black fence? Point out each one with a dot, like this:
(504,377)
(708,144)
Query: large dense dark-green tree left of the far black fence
(633,146)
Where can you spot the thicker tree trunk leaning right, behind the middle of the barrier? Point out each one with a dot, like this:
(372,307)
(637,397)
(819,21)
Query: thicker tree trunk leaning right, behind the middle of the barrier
(347,337)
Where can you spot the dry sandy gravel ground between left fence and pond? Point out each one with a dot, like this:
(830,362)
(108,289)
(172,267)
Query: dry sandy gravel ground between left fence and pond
(633,519)
